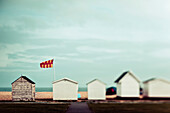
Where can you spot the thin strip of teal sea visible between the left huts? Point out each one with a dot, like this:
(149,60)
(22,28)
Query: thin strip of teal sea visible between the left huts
(39,89)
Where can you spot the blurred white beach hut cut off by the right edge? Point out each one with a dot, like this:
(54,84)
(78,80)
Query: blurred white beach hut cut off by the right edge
(157,88)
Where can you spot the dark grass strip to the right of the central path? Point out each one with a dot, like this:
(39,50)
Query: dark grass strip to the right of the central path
(130,107)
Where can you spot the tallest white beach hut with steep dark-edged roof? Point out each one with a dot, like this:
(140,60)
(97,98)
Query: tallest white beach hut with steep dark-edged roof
(128,85)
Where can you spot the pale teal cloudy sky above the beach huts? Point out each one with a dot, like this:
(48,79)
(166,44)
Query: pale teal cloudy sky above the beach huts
(89,39)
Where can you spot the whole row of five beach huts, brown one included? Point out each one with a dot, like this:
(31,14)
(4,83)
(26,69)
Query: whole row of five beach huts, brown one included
(128,86)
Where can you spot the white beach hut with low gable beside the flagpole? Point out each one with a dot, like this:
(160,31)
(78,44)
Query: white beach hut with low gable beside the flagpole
(65,89)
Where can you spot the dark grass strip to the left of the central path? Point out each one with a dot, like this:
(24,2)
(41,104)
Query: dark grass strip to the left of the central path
(32,108)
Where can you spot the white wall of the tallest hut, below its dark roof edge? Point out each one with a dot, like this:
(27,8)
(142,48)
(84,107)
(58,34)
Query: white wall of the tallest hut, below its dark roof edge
(129,87)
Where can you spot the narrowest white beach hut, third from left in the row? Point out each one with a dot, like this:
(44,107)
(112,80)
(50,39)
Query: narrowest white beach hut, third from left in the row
(96,90)
